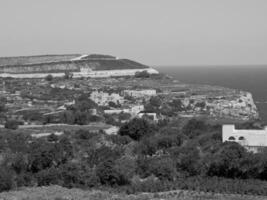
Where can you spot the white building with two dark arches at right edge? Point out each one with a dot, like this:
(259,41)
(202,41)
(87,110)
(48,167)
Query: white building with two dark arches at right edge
(251,139)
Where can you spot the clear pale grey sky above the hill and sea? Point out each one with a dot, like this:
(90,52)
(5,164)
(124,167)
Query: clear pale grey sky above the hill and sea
(154,32)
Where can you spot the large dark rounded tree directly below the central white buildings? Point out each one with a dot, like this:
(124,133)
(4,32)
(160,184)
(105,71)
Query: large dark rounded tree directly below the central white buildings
(136,129)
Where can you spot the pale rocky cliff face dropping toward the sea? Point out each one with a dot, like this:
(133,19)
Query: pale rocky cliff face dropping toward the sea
(239,105)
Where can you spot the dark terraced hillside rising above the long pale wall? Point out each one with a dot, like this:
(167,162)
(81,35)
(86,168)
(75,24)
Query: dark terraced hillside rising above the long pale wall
(62,63)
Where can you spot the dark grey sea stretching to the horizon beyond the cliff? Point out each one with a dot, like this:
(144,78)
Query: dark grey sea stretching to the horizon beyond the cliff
(248,78)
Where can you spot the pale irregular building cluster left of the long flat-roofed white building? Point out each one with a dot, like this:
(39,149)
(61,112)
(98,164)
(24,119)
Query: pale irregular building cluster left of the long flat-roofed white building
(103,98)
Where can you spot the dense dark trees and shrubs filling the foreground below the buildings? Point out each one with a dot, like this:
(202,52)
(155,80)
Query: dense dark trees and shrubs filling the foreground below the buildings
(142,157)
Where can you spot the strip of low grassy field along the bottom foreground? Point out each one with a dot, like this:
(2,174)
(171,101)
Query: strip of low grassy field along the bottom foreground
(60,193)
